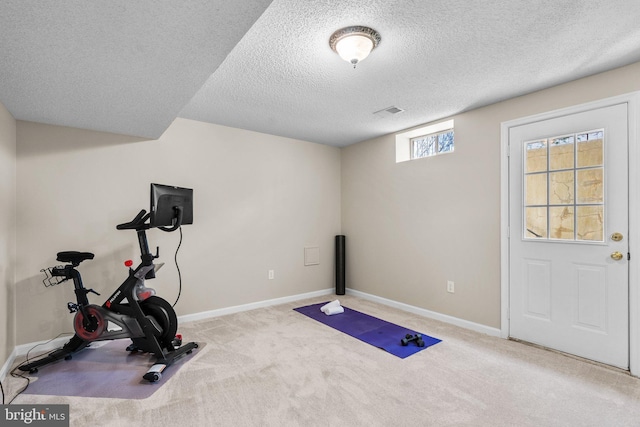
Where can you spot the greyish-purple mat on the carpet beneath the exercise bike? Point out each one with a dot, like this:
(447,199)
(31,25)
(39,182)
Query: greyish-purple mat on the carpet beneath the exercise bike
(105,369)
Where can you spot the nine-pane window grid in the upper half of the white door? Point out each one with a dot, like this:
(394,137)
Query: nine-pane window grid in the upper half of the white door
(564,188)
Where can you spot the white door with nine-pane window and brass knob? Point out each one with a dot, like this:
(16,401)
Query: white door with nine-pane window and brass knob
(568,234)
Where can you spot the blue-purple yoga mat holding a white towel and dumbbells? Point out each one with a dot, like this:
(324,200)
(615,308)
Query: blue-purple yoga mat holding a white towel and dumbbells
(377,332)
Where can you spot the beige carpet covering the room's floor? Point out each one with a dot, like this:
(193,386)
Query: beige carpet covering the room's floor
(274,366)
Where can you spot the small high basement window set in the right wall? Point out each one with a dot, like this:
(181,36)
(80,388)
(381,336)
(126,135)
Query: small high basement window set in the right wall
(424,142)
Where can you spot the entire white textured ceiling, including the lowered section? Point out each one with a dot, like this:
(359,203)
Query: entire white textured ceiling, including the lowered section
(132,67)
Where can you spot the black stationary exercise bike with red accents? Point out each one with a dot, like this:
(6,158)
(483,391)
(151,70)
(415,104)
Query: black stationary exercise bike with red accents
(148,320)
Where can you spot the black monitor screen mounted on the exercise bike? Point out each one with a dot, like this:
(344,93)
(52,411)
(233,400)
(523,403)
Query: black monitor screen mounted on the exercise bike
(171,206)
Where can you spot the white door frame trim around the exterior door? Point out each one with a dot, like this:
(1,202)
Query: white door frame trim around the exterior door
(633,103)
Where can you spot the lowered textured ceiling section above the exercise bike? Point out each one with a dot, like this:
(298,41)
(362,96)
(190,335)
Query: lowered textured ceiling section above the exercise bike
(120,66)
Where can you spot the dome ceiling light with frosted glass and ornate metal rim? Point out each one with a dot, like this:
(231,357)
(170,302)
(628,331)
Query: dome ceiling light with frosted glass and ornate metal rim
(353,44)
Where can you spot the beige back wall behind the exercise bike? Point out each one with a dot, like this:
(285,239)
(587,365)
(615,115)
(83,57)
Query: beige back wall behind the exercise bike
(259,200)
